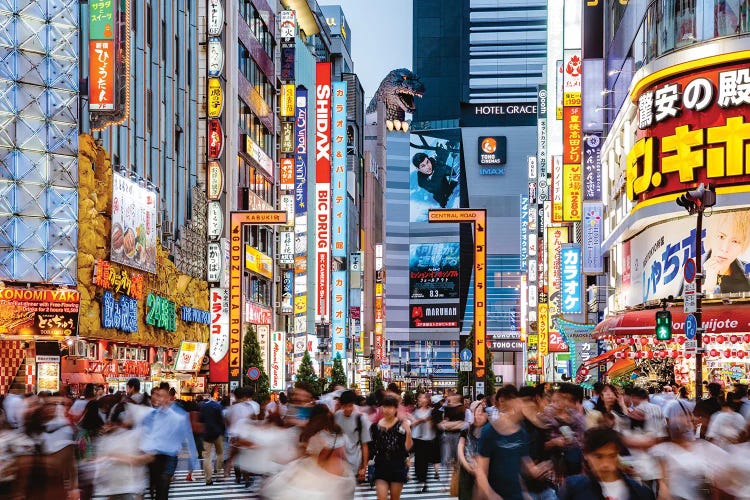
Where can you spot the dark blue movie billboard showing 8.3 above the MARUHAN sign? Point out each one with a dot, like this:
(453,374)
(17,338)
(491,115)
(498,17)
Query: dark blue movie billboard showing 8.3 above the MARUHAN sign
(433,270)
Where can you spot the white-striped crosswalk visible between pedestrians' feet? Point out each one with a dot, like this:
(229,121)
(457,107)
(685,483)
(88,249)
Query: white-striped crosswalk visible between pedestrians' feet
(228,489)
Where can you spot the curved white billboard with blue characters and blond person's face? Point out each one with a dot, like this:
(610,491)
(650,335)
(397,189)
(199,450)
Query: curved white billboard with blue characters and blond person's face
(658,255)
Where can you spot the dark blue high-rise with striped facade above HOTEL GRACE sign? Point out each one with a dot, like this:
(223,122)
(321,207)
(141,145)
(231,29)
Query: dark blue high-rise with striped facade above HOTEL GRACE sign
(499,46)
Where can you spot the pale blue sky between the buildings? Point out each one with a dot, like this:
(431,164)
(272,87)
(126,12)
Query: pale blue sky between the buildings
(381,38)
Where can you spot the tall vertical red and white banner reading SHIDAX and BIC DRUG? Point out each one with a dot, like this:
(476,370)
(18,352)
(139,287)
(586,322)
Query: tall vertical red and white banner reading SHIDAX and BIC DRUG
(322,189)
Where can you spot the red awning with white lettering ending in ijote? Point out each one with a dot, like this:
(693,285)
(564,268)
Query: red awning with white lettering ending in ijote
(717,318)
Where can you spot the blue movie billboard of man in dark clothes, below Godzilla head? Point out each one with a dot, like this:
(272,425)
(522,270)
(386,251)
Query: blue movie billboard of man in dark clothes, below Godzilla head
(435,174)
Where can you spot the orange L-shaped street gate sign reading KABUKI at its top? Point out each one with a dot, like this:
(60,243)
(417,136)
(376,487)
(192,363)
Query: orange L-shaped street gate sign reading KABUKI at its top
(238,220)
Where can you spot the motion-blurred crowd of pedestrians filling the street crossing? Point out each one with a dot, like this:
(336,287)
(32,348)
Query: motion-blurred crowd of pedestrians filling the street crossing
(538,442)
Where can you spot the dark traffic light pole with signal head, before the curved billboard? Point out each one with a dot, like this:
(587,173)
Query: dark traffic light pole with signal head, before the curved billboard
(696,201)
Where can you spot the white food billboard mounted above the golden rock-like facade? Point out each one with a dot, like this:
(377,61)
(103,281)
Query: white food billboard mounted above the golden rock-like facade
(133,224)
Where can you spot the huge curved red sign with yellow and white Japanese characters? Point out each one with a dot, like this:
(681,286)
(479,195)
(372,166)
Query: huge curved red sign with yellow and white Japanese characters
(692,128)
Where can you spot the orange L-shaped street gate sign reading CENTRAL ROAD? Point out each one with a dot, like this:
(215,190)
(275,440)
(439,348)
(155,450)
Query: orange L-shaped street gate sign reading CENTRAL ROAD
(478,217)
